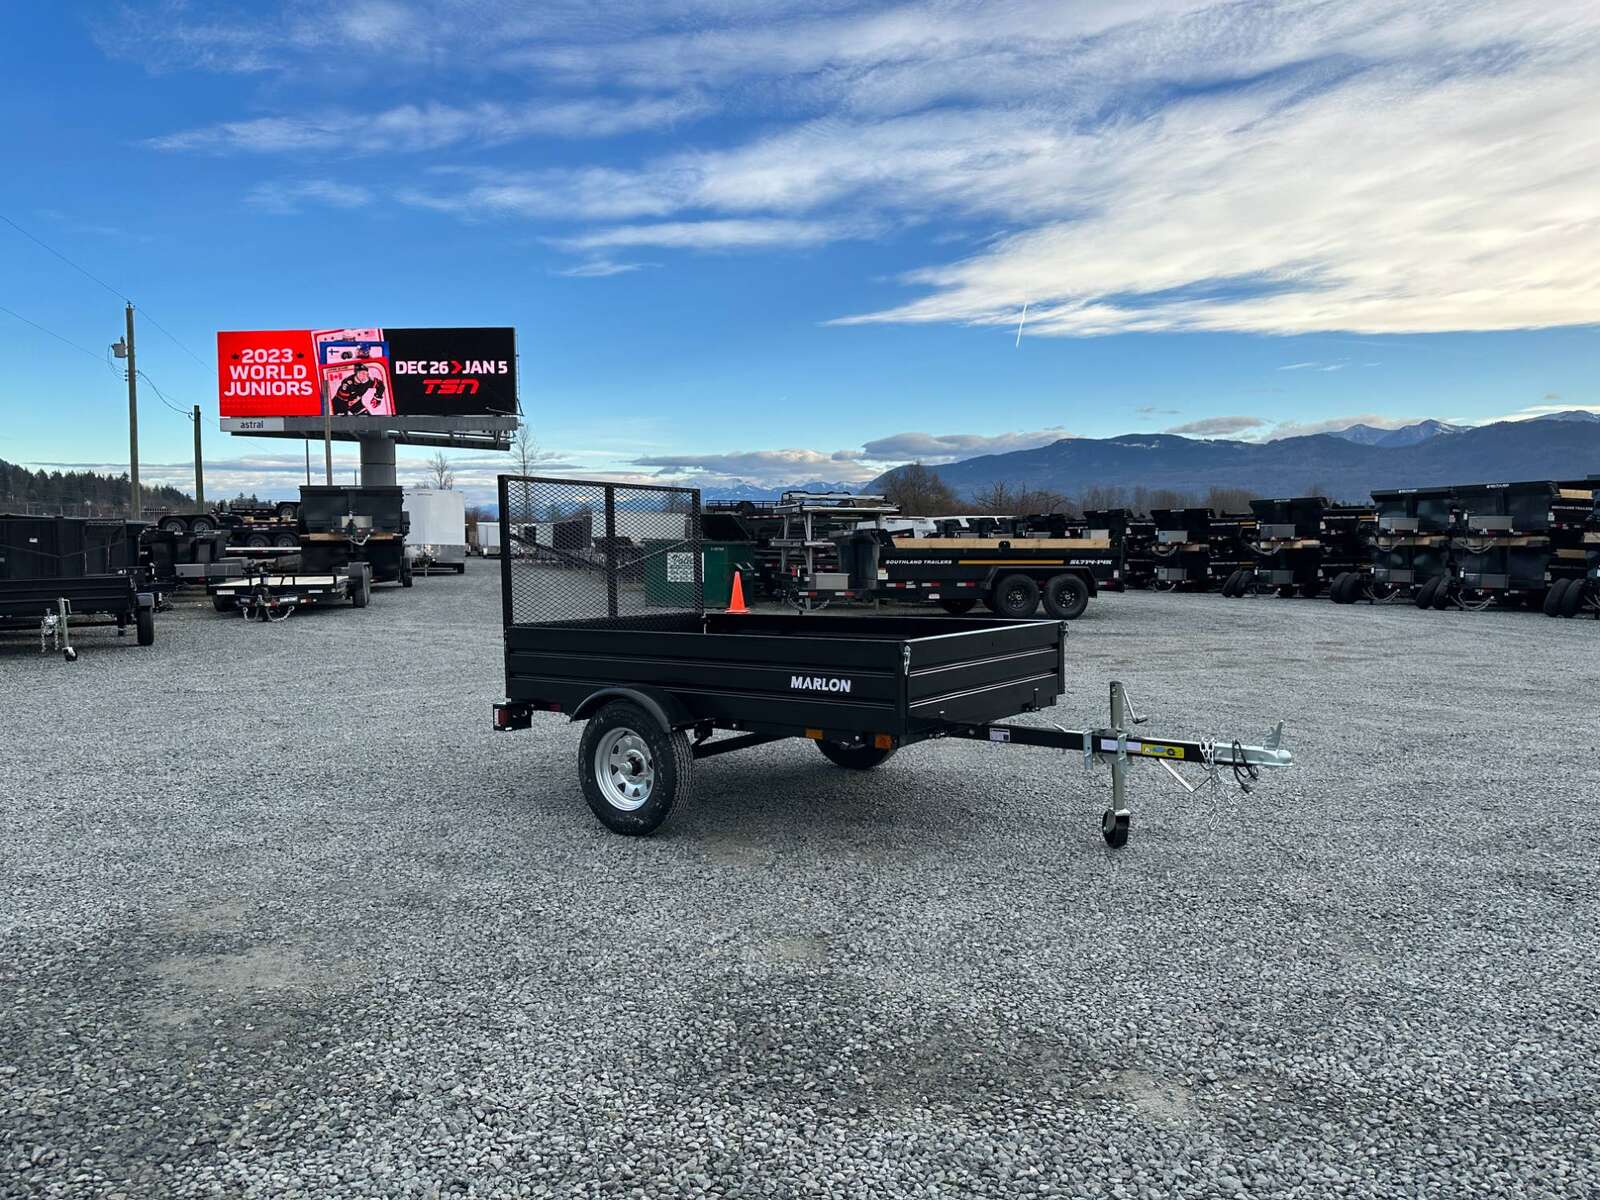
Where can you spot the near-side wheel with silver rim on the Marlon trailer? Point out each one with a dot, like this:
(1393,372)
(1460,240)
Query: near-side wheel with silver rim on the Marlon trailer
(633,770)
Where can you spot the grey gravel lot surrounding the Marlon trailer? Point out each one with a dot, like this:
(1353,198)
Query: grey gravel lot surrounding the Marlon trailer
(284,918)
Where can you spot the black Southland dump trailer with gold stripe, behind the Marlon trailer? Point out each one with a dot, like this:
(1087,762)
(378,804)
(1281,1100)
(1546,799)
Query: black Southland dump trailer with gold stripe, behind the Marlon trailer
(1010,574)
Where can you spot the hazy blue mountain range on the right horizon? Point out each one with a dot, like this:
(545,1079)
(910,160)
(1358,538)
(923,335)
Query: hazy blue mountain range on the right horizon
(1345,465)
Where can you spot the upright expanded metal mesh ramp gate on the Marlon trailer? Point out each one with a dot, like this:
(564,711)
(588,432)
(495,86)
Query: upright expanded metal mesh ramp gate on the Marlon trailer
(594,553)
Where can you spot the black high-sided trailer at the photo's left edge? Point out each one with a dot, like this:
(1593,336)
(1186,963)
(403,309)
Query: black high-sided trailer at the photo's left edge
(63,572)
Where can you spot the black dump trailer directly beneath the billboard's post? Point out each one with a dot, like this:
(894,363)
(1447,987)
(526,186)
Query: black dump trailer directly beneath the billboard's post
(340,527)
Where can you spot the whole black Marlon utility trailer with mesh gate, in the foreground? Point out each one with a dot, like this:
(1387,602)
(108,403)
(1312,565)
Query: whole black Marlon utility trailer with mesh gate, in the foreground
(657,679)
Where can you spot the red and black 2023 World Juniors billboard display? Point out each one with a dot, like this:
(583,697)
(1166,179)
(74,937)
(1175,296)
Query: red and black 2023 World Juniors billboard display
(367,372)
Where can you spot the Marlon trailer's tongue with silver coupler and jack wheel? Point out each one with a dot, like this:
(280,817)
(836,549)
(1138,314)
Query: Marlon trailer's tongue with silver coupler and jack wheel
(1121,748)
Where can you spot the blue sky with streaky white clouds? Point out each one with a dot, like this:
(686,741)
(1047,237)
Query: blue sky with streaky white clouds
(788,242)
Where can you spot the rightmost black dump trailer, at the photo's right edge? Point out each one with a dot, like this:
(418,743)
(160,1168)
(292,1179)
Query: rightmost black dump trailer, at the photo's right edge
(1521,545)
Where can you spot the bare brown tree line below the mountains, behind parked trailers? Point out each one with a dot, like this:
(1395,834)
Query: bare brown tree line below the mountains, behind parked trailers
(919,492)
